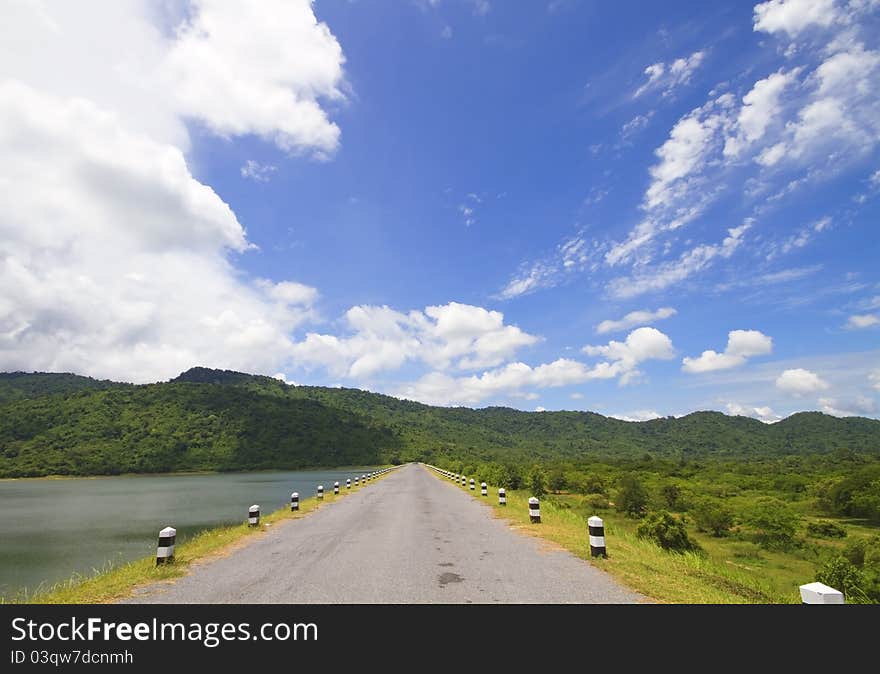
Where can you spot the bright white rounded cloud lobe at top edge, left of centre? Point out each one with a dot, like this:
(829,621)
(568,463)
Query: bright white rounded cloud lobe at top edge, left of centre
(258,68)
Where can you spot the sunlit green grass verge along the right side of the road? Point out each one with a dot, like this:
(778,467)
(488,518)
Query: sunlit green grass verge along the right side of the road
(661,576)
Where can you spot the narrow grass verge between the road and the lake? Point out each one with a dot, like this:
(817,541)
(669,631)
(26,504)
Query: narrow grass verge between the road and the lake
(113,583)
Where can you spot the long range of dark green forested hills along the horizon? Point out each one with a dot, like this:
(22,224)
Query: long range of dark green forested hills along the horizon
(217,419)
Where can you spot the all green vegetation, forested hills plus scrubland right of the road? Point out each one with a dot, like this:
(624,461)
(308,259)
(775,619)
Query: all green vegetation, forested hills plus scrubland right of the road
(750,510)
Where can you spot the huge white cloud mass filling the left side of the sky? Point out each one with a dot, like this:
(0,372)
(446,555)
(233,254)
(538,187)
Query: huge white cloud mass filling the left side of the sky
(114,258)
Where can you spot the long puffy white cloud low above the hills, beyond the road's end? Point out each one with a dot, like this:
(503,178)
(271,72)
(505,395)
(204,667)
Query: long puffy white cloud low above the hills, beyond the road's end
(453,335)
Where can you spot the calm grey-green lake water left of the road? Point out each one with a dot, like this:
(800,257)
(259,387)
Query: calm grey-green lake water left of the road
(51,529)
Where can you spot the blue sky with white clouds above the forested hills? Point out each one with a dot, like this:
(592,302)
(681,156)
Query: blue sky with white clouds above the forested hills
(638,209)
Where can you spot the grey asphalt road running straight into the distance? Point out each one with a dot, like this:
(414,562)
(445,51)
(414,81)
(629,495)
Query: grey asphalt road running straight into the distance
(407,538)
